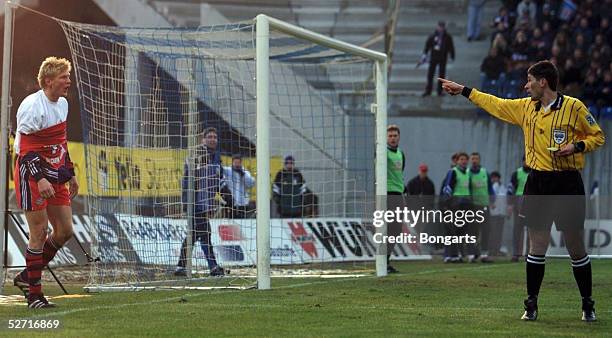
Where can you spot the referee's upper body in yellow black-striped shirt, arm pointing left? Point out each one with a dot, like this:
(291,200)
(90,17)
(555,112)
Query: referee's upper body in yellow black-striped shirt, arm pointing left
(557,128)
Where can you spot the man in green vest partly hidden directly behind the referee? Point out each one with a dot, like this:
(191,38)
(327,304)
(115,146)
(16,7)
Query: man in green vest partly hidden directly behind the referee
(515,191)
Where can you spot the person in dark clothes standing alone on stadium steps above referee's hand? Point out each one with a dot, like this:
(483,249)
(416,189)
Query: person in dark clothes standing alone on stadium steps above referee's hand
(440,45)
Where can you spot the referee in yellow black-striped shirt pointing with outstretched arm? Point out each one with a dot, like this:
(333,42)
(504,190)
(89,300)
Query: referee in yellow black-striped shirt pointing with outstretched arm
(558,130)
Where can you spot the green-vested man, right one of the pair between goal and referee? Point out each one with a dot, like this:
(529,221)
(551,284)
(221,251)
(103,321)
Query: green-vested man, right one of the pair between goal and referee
(482,193)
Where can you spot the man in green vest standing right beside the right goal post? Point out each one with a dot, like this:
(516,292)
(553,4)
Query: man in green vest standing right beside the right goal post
(396,162)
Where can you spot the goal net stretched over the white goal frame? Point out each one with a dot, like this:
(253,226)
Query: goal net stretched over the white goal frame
(196,139)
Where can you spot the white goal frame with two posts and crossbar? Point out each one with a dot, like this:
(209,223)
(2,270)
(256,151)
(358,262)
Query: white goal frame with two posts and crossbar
(263,25)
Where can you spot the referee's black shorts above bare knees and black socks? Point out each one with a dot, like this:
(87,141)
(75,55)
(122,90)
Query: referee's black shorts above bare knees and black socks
(554,197)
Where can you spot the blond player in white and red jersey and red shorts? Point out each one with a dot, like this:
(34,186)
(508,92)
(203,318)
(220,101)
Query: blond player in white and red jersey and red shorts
(42,171)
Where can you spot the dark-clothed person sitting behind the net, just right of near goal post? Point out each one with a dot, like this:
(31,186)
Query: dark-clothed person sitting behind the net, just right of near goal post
(288,190)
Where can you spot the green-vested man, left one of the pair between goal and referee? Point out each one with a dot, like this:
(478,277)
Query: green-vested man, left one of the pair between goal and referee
(456,191)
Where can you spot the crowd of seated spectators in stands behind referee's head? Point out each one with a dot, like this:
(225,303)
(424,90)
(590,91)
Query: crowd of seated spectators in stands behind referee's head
(574,35)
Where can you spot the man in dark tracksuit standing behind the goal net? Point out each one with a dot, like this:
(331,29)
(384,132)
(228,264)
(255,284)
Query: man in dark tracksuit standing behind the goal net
(208,180)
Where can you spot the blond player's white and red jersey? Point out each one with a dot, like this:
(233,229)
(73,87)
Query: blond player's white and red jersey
(36,113)
